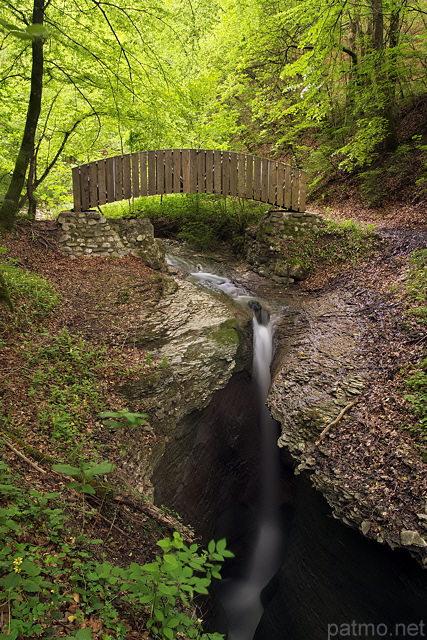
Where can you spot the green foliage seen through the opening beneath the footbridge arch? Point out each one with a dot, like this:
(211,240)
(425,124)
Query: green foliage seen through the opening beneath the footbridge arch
(201,220)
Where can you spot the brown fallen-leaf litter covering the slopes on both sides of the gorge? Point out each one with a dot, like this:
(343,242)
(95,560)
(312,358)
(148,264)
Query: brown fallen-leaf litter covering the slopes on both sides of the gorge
(100,302)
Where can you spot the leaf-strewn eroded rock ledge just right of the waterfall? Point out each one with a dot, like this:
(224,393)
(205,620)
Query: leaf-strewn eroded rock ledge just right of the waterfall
(368,471)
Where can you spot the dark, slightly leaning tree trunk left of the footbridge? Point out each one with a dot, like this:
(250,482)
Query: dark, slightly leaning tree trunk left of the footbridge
(10,207)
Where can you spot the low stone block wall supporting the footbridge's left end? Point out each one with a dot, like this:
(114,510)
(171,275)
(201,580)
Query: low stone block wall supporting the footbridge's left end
(90,234)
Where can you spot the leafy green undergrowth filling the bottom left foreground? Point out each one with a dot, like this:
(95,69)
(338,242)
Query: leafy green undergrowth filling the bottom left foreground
(44,570)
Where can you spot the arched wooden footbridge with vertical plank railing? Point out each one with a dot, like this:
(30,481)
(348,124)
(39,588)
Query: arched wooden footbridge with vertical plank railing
(168,171)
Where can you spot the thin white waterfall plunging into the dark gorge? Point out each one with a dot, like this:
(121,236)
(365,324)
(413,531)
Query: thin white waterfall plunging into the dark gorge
(241,599)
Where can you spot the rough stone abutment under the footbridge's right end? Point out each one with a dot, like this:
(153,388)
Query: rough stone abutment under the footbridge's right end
(265,253)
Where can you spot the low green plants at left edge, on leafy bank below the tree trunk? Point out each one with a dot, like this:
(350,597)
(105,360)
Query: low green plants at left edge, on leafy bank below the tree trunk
(33,298)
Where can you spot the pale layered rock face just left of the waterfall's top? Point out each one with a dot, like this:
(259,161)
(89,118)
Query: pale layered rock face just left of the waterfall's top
(201,339)
